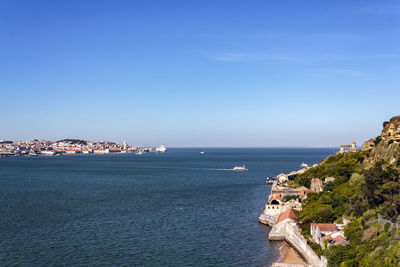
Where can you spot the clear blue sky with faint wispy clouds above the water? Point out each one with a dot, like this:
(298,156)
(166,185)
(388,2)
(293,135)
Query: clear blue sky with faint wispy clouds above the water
(199,73)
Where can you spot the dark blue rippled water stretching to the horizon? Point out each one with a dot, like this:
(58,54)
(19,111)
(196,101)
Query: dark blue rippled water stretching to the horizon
(179,208)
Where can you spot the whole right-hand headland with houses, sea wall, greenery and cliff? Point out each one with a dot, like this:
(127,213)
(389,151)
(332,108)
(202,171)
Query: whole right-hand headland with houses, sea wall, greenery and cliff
(345,210)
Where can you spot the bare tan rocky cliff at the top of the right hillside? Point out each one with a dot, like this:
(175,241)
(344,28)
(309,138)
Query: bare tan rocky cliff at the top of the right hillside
(385,147)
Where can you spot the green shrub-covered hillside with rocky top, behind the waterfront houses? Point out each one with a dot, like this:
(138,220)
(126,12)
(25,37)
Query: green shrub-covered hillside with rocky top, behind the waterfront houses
(366,195)
